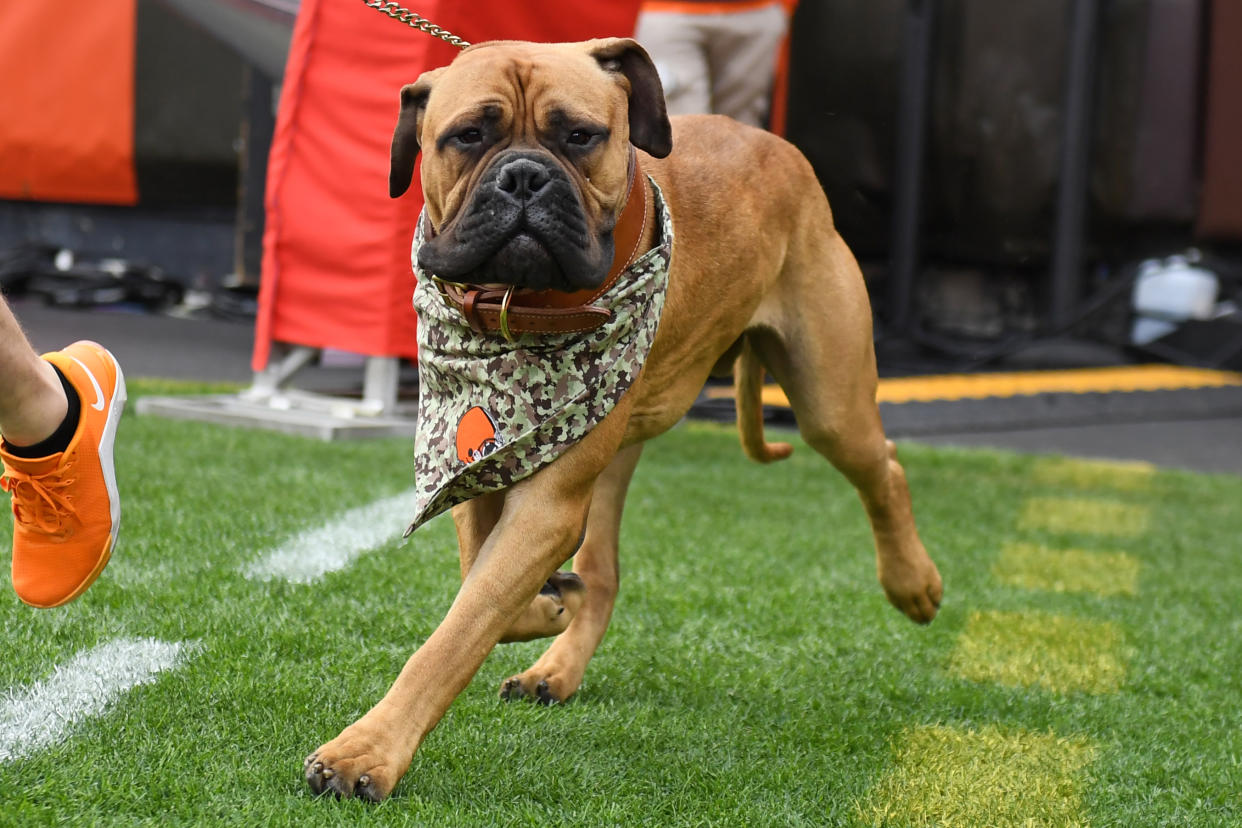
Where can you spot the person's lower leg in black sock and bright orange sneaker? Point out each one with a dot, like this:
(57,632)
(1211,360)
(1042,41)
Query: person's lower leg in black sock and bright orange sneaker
(59,418)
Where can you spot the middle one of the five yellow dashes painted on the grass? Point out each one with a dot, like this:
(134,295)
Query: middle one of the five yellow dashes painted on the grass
(1067,570)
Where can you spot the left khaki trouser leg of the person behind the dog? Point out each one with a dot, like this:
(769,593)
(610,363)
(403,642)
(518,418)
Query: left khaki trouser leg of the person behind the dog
(675,43)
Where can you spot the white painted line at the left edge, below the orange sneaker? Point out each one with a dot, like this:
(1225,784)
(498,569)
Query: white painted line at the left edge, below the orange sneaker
(42,714)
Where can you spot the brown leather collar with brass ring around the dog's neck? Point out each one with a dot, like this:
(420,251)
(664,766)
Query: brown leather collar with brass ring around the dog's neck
(516,311)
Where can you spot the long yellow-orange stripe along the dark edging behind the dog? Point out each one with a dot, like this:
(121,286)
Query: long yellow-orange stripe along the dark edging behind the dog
(981,387)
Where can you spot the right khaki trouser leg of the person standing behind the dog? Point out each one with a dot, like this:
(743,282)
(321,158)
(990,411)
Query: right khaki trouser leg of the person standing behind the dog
(742,53)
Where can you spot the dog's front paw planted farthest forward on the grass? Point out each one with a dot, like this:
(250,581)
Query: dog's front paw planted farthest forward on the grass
(355,765)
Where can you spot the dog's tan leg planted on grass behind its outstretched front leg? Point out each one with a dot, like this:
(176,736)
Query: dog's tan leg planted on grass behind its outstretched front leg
(560,671)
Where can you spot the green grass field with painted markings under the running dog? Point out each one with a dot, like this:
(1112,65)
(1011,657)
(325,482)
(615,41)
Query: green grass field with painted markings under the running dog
(1086,667)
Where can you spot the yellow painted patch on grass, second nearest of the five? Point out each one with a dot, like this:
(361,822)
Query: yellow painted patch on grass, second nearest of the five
(1038,650)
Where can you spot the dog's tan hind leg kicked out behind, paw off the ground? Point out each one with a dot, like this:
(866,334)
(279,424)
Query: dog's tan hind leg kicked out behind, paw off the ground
(815,338)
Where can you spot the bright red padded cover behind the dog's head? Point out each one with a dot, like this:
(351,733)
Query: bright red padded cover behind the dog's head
(337,250)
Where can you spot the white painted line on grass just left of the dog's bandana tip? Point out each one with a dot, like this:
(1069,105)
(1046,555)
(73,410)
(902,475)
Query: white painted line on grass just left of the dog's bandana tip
(316,553)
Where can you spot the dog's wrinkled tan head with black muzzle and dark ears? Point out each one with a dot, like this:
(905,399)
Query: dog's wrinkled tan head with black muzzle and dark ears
(526,158)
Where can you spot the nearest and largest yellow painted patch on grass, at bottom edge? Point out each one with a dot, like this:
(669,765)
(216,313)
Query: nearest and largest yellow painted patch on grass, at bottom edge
(947,776)
